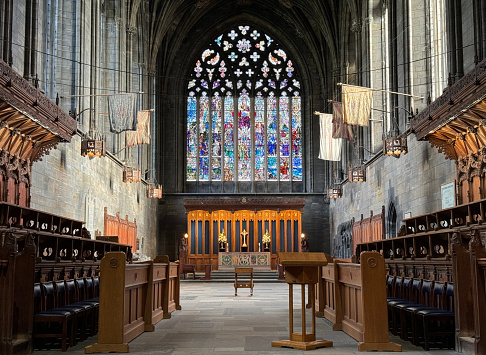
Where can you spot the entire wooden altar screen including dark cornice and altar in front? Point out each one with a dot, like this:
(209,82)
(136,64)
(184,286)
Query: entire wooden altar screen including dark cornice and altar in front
(242,232)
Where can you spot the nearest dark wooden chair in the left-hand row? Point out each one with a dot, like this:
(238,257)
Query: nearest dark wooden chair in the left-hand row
(51,323)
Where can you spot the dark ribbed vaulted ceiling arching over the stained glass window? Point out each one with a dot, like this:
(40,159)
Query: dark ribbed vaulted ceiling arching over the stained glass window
(308,29)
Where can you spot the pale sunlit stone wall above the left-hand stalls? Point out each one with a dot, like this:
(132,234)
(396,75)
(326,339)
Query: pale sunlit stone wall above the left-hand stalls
(73,186)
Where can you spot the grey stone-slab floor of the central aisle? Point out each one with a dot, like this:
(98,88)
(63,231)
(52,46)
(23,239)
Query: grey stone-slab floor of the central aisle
(214,321)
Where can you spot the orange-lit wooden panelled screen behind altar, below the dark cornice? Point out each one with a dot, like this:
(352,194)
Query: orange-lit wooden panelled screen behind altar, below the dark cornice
(204,227)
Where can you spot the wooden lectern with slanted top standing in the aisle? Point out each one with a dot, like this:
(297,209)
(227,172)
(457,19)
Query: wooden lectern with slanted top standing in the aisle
(303,269)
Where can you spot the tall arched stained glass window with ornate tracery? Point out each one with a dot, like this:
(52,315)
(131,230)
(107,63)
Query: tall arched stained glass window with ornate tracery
(244,111)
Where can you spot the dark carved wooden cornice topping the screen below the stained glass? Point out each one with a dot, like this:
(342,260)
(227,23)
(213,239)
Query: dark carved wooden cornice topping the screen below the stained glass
(235,204)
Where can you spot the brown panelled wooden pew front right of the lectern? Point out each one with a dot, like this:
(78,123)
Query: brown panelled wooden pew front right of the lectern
(353,298)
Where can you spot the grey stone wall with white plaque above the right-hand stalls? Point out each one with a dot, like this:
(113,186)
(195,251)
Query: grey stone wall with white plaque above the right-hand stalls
(411,183)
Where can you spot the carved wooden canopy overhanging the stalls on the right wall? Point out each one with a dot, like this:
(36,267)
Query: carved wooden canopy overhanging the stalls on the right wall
(456,122)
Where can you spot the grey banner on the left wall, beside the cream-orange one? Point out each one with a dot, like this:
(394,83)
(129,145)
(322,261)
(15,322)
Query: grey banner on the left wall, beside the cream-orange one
(122,112)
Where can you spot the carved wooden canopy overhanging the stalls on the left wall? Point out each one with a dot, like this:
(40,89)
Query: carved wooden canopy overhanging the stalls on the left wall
(30,123)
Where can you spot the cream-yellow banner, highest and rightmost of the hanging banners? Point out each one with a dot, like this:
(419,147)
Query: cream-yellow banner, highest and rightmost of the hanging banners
(356,104)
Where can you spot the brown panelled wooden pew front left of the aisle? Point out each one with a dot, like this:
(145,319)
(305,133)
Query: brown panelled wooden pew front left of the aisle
(133,298)
